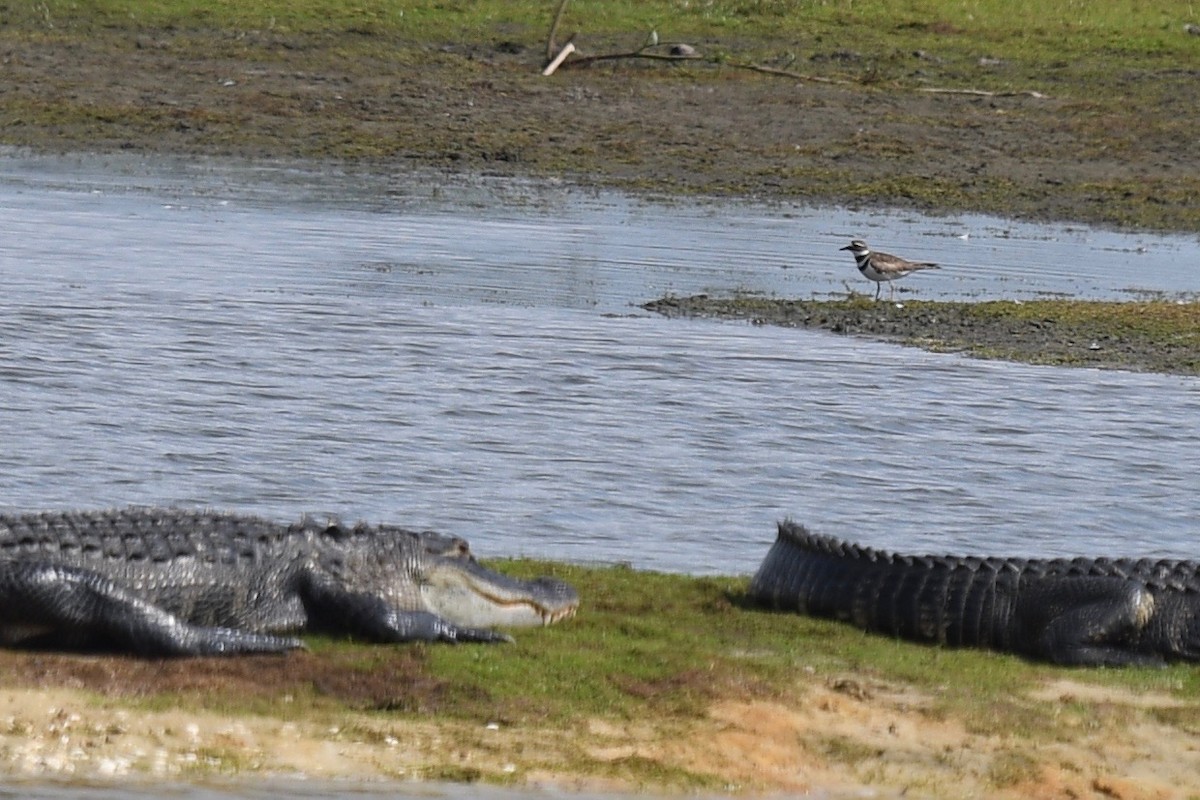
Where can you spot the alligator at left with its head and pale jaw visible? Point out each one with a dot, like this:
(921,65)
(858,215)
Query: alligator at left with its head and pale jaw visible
(176,582)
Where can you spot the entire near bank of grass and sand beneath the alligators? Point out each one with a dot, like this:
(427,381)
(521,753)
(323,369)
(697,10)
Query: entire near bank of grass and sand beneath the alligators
(661,683)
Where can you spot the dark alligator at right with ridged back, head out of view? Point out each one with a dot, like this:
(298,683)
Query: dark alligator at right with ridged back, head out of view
(1083,612)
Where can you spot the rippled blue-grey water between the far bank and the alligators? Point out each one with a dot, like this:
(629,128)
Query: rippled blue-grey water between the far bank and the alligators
(469,356)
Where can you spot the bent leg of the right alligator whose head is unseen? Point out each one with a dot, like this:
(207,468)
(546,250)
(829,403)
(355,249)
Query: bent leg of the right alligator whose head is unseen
(1087,622)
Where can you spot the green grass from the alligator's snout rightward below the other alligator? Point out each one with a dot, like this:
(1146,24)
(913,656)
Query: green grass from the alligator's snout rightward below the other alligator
(668,646)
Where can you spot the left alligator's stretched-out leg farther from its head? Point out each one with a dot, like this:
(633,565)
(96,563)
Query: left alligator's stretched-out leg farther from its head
(77,606)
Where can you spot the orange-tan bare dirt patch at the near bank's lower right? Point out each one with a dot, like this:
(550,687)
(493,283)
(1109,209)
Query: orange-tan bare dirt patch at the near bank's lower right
(842,742)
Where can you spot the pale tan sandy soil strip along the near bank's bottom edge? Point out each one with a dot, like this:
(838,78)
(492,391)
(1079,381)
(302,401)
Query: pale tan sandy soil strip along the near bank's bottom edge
(844,738)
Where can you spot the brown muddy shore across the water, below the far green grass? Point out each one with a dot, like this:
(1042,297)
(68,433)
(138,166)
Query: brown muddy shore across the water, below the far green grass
(1113,149)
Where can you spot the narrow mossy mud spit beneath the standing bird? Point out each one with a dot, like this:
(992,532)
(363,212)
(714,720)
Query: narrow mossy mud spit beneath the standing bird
(1147,336)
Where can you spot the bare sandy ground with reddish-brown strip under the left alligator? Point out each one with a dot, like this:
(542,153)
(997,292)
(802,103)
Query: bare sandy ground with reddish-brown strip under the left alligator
(77,718)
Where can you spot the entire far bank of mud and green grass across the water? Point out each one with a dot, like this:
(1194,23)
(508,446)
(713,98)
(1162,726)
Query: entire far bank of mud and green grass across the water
(1091,113)
